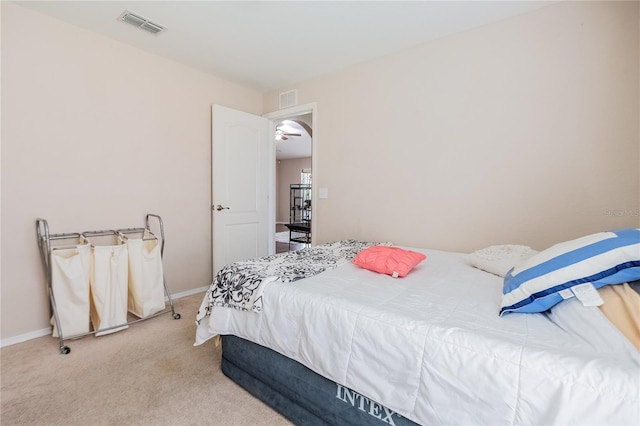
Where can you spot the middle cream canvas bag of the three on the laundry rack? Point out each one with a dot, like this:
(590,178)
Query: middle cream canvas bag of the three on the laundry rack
(109,278)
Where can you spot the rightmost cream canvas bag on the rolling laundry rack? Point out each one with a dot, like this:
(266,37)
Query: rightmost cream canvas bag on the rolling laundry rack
(146,282)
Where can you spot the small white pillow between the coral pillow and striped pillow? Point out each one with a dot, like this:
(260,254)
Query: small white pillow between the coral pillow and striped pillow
(499,259)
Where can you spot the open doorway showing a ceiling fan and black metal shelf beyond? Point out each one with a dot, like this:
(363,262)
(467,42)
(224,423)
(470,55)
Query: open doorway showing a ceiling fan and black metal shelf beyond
(295,144)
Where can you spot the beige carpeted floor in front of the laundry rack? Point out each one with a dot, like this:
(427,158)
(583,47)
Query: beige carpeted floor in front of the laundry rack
(149,374)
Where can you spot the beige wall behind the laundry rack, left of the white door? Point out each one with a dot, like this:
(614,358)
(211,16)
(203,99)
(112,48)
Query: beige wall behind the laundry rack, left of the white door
(95,134)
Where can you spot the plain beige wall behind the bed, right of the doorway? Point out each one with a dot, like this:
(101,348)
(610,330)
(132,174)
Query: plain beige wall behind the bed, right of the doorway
(525,131)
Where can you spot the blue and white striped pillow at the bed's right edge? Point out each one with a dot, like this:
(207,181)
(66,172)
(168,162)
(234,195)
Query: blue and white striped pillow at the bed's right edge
(534,285)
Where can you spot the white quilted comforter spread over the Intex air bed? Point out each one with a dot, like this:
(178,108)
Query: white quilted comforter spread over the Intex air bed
(432,347)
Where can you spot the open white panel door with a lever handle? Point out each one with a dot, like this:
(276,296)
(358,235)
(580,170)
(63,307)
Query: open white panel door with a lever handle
(240,181)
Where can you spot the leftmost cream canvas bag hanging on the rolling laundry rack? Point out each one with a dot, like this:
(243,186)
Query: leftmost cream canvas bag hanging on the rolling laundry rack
(70,273)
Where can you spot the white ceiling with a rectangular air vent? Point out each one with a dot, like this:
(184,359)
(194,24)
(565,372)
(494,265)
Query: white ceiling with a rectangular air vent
(269,44)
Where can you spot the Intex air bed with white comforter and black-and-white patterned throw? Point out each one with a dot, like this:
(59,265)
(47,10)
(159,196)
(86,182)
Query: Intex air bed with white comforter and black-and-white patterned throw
(336,343)
